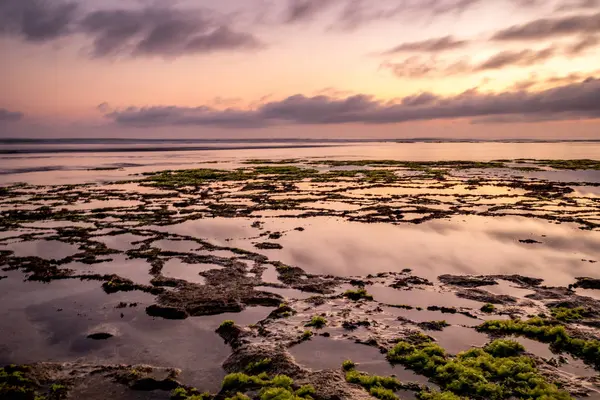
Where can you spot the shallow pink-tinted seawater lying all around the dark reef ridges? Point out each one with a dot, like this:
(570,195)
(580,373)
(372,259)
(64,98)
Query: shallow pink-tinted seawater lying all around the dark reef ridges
(52,321)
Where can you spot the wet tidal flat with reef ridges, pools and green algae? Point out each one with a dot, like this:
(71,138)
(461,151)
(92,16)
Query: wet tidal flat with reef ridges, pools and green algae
(305,278)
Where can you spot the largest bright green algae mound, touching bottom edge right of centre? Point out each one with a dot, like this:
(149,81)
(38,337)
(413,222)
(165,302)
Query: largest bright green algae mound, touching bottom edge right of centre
(498,371)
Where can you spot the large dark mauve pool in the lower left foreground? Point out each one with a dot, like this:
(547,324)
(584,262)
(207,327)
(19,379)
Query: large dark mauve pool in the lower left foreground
(34,330)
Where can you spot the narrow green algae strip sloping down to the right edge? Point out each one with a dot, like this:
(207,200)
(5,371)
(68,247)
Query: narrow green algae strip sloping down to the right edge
(547,331)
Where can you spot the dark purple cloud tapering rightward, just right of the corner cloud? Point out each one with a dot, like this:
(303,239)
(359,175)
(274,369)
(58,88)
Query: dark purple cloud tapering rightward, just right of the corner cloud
(162,32)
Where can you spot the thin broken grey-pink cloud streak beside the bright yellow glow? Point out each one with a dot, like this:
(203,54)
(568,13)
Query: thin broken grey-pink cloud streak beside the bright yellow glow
(420,67)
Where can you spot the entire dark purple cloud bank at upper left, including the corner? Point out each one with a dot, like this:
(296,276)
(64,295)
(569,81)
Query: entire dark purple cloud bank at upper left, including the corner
(151,30)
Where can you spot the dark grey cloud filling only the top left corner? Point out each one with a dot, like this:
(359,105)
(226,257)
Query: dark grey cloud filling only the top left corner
(37,20)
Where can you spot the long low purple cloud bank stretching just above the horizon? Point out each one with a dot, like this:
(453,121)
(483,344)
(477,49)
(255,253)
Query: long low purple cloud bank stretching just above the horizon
(571,101)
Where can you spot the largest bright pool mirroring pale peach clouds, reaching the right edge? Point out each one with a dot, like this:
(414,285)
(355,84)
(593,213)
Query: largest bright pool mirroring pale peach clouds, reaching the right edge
(478,246)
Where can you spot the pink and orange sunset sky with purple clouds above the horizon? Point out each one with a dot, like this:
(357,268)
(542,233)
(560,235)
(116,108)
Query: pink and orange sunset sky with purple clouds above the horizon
(482,69)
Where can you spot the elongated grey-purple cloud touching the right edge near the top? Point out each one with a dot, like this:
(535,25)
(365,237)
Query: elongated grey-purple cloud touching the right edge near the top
(549,28)
